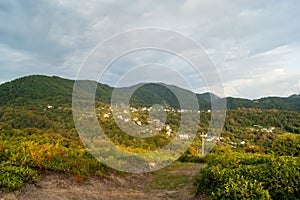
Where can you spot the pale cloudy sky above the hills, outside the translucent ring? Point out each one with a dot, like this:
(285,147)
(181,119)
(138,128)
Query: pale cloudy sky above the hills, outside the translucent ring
(255,45)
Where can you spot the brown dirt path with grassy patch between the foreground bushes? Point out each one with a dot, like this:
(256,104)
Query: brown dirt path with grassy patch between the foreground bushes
(173,182)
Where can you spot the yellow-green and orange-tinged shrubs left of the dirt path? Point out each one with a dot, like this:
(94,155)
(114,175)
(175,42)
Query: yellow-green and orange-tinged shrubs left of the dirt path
(24,153)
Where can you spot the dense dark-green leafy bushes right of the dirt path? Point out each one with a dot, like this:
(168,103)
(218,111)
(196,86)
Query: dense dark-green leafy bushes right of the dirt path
(250,176)
